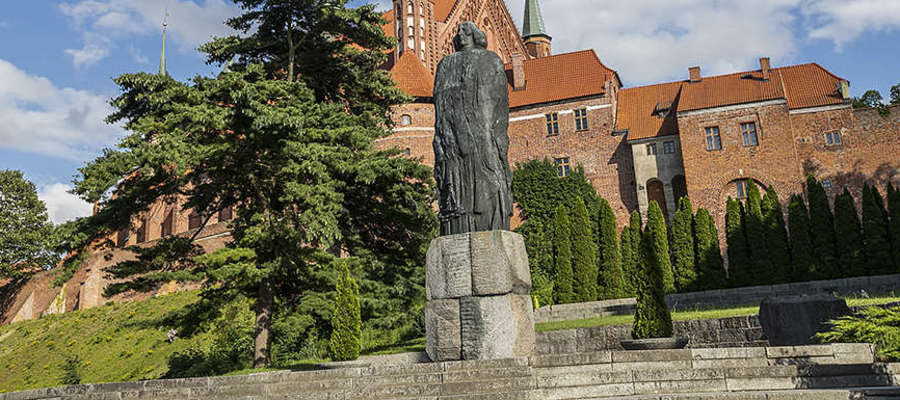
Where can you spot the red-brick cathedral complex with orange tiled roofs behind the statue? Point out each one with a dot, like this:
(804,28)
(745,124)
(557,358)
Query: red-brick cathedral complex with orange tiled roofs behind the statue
(704,136)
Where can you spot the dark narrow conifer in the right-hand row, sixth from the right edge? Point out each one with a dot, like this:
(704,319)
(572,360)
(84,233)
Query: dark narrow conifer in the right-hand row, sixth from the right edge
(776,236)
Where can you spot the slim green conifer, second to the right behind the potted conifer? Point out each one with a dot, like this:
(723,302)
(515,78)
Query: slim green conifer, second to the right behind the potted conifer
(710,269)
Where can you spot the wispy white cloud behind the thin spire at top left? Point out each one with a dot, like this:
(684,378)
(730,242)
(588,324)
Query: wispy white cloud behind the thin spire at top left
(190,24)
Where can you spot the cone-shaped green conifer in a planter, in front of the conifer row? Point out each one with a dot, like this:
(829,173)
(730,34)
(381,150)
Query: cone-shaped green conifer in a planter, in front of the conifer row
(652,318)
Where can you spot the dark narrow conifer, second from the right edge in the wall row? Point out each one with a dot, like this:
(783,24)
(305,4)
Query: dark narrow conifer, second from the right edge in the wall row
(875,230)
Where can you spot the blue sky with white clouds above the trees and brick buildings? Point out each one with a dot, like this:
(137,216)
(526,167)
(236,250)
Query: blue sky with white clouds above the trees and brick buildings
(58,58)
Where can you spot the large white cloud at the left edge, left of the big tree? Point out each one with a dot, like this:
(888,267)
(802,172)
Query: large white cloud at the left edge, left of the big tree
(38,117)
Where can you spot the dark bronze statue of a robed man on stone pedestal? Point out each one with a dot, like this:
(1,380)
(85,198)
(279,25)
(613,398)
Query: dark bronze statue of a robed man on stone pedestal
(471,164)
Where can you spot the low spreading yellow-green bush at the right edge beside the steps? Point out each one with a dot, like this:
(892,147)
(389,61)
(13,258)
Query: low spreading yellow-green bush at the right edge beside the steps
(877,325)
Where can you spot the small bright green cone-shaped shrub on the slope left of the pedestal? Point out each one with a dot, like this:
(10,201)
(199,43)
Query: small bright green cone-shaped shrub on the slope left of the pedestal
(346,321)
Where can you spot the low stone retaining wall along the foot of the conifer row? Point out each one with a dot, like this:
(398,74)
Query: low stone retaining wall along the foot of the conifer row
(723,297)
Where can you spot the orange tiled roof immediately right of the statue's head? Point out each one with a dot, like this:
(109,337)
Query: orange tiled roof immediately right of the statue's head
(561,77)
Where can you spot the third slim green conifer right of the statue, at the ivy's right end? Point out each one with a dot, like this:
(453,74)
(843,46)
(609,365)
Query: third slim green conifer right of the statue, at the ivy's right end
(612,279)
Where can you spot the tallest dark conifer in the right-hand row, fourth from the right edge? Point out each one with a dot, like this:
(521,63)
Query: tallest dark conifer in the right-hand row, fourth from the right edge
(821,227)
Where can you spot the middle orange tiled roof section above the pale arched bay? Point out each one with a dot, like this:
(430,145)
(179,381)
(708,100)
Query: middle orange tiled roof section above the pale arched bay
(648,111)
